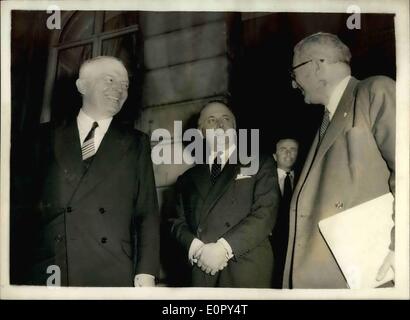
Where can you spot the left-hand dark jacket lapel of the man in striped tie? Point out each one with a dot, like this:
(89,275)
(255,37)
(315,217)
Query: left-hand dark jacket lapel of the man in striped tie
(67,150)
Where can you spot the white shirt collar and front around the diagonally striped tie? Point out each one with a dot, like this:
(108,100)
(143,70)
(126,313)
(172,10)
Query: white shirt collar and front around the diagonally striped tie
(85,123)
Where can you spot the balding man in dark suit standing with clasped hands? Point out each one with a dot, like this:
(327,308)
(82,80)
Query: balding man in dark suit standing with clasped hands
(225,217)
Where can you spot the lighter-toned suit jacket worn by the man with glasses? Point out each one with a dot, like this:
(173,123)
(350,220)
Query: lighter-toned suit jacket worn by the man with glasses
(354,163)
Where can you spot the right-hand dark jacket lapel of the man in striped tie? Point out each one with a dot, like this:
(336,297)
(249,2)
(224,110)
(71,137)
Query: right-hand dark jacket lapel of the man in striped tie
(111,150)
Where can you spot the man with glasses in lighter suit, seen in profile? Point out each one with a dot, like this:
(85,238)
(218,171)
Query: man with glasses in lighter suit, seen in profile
(351,160)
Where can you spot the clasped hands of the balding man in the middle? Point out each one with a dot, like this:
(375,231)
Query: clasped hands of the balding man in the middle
(211,258)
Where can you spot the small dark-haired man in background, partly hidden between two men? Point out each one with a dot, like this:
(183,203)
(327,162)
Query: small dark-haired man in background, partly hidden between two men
(285,155)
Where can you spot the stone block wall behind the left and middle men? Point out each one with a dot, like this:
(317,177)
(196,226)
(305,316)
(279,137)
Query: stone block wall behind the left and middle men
(186,63)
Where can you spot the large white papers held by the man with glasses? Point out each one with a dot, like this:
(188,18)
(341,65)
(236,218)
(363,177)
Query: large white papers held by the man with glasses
(359,239)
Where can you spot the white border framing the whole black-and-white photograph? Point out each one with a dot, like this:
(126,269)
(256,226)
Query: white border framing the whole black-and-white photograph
(401,291)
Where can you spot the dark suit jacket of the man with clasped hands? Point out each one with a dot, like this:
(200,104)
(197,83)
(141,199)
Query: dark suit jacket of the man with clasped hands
(240,210)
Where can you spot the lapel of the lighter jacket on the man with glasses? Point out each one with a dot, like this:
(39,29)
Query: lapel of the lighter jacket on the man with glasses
(341,117)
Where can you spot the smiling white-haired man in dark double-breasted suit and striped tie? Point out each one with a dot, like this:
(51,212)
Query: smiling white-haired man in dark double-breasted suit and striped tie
(98,213)
